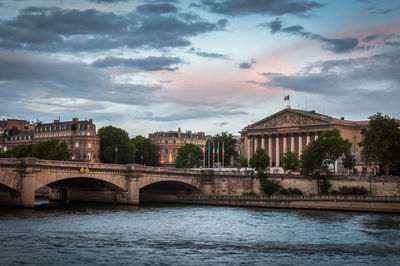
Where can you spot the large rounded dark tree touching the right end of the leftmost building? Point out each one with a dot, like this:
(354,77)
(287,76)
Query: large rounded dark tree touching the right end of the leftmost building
(111,137)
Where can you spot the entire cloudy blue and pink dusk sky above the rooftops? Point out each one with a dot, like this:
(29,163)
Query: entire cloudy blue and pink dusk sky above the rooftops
(211,66)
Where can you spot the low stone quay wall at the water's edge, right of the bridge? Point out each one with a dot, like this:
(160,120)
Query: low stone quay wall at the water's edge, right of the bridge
(317,202)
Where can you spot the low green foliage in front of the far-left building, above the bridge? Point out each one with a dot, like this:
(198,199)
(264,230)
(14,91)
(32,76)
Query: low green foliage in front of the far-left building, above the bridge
(47,150)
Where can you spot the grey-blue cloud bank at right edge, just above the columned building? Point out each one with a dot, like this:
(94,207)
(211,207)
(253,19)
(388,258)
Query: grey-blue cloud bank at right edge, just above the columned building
(340,77)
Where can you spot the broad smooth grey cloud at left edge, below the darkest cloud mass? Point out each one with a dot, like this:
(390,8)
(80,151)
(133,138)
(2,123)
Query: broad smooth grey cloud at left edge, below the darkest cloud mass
(55,78)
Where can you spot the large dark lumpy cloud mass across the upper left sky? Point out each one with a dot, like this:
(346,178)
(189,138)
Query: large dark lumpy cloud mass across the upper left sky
(72,30)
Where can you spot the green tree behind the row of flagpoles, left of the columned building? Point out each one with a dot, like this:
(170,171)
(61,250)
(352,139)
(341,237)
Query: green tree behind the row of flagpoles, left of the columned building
(229,146)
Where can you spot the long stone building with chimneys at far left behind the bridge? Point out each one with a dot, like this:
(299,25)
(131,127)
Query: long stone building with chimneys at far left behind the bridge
(80,136)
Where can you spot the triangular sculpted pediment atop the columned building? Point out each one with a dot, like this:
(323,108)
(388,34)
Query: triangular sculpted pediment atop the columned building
(291,118)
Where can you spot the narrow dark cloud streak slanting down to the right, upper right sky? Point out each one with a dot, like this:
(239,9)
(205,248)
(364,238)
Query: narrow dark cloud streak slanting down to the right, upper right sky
(336,45)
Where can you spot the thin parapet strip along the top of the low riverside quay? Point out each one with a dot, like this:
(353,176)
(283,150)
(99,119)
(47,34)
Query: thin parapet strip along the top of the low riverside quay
(346,198)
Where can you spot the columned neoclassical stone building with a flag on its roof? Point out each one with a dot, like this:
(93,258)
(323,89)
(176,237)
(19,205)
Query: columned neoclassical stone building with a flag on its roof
(292,130)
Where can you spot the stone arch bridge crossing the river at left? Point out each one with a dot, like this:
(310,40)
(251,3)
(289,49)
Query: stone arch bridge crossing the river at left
(20,178)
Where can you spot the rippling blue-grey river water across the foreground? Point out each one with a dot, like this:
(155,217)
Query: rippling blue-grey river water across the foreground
(88,234)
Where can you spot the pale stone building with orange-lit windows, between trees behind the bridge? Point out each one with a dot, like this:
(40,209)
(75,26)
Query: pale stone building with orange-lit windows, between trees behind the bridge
(168,143)
